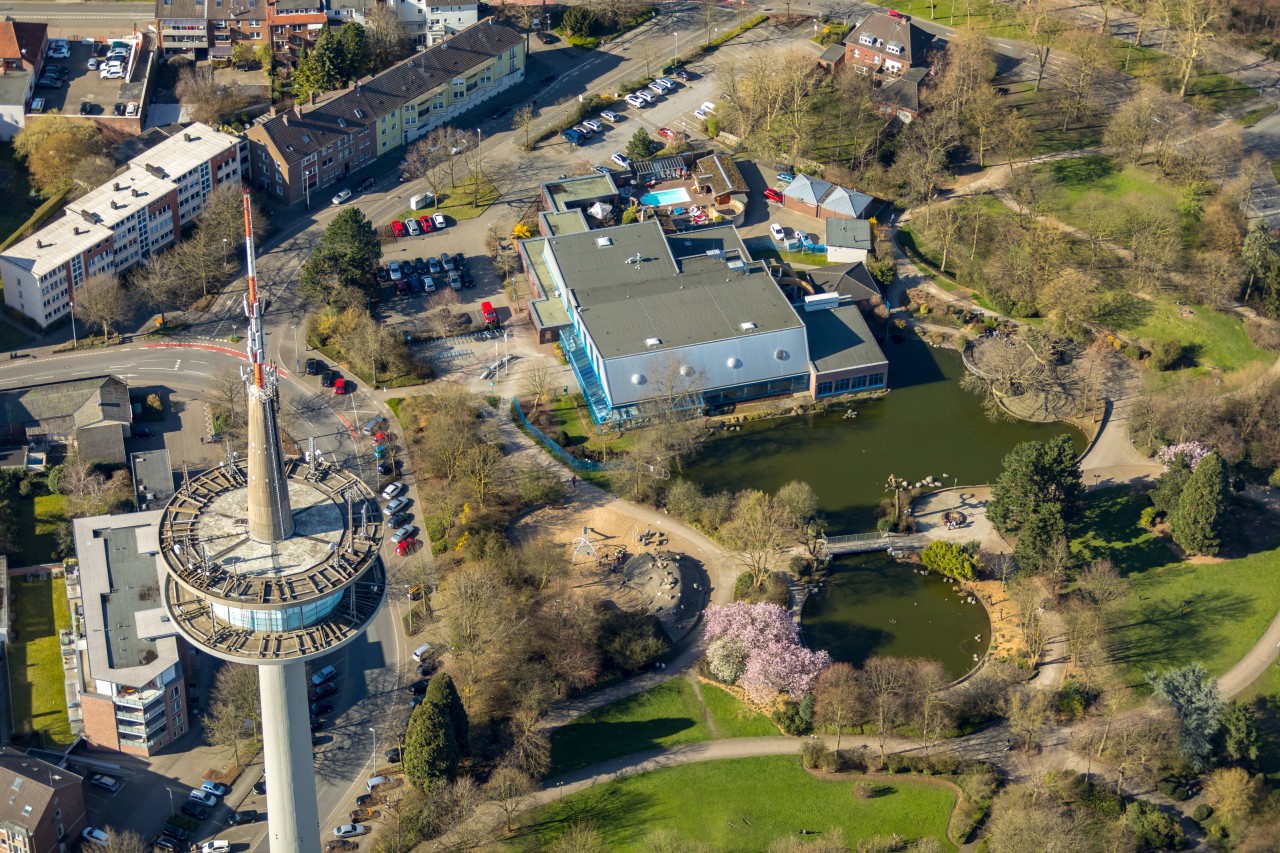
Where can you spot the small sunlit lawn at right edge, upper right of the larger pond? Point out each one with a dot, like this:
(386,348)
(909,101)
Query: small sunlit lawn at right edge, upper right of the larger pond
(1215,340)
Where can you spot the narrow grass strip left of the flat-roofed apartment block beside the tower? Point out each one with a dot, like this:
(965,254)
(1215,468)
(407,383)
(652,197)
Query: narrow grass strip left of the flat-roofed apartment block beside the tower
(35,662)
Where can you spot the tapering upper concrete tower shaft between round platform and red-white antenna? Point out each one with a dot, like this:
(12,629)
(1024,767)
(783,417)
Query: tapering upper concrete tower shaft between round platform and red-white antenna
(271,519)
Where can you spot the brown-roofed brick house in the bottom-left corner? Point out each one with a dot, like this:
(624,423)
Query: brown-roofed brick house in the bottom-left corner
(43,810)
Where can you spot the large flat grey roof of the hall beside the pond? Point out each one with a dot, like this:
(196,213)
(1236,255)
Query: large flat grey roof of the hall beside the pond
(676,294)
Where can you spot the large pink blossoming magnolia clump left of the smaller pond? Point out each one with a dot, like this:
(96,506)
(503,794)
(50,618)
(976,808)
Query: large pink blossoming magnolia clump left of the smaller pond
(758,647)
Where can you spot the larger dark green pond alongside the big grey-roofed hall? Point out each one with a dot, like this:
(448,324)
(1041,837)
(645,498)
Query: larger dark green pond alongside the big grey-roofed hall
(926,426)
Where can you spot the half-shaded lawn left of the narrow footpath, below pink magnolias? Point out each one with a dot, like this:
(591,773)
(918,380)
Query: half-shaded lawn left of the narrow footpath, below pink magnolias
(665,717)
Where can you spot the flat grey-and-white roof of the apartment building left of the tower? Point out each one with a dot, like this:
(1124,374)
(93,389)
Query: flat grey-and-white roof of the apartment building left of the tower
(121,572)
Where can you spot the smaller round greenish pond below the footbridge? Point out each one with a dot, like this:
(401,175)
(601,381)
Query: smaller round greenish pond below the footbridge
(874,608)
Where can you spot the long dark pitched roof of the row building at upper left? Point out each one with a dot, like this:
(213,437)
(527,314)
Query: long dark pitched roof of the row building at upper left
(304,130)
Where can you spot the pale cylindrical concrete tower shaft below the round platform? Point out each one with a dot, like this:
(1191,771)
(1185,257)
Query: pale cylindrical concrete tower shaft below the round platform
(294,819)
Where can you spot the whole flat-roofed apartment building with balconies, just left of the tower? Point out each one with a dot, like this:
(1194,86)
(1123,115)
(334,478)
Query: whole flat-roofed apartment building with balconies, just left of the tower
(132,663)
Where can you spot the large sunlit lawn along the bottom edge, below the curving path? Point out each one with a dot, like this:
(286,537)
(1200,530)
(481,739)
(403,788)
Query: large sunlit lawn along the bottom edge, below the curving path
(743,805)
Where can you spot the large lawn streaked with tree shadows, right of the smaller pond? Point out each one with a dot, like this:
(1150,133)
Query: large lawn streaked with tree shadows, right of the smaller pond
(1228,608)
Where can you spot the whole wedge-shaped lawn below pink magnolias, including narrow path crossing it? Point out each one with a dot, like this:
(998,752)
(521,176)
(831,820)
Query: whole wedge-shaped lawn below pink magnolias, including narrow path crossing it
(675,713)
